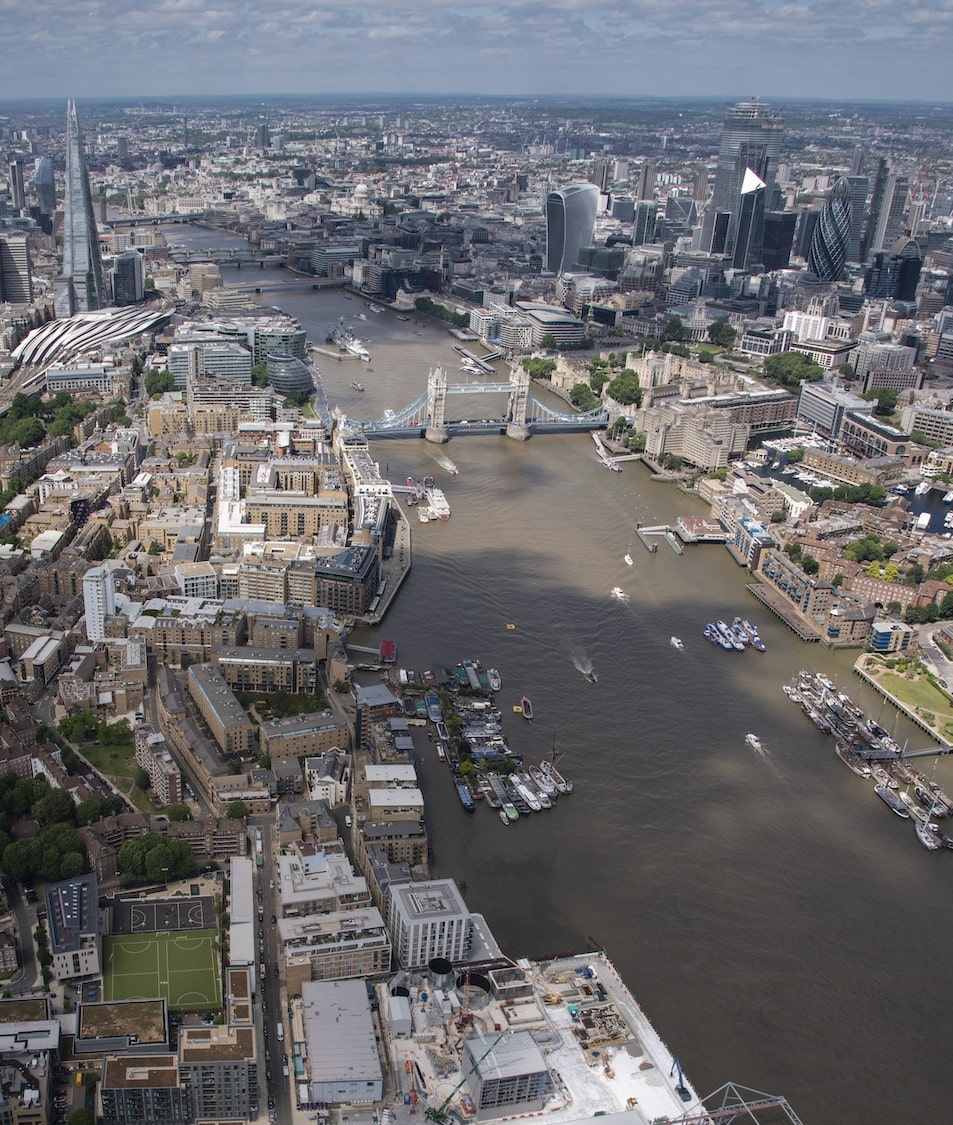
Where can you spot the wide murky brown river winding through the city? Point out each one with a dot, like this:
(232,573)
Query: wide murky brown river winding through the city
(779,926)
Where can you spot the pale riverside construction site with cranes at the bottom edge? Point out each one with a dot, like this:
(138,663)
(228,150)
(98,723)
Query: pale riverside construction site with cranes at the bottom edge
(565,1040)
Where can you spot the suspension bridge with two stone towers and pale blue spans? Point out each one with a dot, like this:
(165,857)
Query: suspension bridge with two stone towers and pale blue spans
(524,416)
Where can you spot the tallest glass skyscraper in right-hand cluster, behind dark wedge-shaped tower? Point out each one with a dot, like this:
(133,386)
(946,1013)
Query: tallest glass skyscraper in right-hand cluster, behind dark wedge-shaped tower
(751,141)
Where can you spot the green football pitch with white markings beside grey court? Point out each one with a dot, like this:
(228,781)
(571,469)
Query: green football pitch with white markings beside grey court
(182,968)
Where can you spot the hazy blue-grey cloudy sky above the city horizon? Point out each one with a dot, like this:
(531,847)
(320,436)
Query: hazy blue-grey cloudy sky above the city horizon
(825,49)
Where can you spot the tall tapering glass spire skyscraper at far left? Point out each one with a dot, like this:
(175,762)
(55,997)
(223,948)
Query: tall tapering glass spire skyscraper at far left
(83,265)
